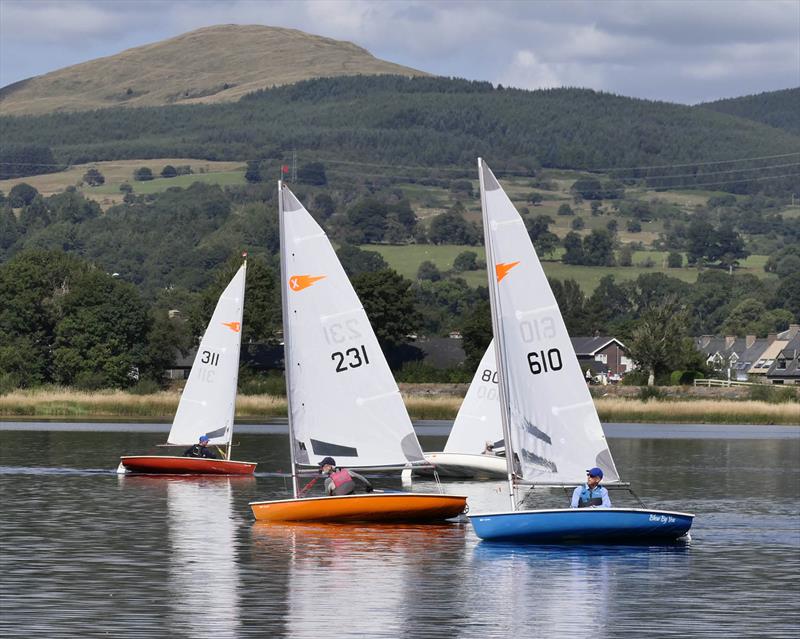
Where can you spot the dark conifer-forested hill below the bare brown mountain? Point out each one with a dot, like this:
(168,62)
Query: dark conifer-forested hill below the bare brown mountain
(421,122)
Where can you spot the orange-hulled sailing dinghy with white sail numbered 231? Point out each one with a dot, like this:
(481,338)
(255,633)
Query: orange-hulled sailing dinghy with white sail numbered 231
(343,400)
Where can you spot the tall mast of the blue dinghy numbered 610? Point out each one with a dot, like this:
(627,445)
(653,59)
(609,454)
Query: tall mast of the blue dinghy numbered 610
(497,332)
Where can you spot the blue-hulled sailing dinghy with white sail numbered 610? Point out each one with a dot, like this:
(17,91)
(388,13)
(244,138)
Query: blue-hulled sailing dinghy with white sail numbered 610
(552,431)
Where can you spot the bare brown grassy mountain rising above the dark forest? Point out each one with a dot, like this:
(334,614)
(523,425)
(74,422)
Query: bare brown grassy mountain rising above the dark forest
(210,65)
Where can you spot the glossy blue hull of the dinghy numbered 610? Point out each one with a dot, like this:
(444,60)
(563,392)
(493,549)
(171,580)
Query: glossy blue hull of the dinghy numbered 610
(600,525)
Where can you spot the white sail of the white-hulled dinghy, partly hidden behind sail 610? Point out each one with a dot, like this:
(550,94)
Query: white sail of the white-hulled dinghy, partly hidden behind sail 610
(478,420)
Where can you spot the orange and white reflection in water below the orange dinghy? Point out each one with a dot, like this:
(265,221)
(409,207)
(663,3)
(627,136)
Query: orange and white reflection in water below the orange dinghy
(368,580)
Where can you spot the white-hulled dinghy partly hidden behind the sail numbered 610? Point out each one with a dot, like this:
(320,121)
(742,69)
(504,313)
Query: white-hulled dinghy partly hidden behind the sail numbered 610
(476,439)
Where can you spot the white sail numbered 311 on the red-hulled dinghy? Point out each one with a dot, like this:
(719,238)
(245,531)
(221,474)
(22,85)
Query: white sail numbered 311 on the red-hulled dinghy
(208,401)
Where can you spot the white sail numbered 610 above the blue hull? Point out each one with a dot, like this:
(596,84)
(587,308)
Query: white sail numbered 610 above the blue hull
(554,428)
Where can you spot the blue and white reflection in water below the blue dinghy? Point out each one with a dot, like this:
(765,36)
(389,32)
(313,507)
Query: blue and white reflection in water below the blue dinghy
(577,590)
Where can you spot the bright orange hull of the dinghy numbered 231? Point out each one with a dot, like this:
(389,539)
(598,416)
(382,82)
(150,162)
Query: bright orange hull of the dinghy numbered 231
(372,507)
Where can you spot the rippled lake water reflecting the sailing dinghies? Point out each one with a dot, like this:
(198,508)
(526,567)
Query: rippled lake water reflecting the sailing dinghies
(87,553)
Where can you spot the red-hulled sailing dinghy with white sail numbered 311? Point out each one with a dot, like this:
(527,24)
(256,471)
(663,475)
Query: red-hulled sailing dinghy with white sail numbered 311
(208,400)
